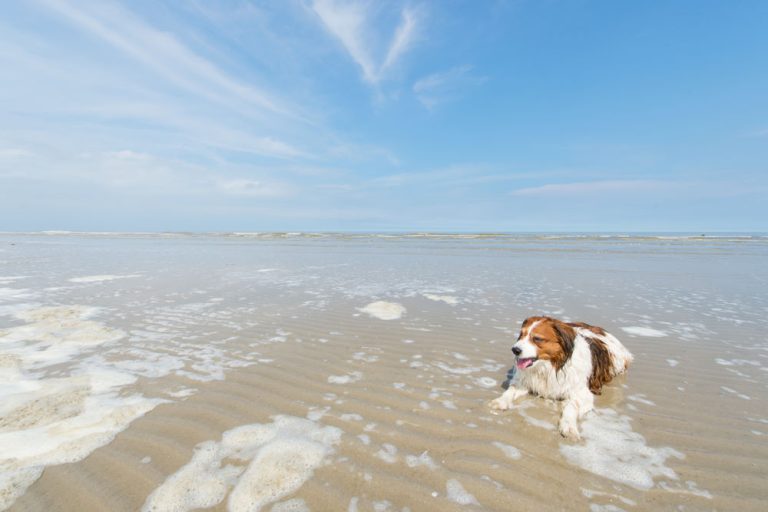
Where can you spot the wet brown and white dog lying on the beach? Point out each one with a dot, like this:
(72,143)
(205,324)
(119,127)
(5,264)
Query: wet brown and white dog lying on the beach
(564,361)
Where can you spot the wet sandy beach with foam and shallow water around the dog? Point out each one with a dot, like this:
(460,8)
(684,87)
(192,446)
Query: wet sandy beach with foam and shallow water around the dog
(291,371)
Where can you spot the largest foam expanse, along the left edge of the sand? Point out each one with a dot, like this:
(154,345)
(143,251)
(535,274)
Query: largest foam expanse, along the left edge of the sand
(48,421)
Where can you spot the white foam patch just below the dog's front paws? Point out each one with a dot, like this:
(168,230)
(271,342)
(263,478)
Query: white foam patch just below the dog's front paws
(611,449)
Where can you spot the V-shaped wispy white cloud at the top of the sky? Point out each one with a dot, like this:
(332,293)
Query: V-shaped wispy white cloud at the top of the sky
(351,22)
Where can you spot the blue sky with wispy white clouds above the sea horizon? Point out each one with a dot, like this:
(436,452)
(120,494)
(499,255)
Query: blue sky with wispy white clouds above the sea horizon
(359,115)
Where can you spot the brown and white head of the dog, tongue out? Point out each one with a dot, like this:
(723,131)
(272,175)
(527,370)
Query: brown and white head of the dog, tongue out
(543,339)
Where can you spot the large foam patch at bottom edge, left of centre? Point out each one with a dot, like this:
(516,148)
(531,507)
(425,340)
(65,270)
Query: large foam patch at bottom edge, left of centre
(280,456)
